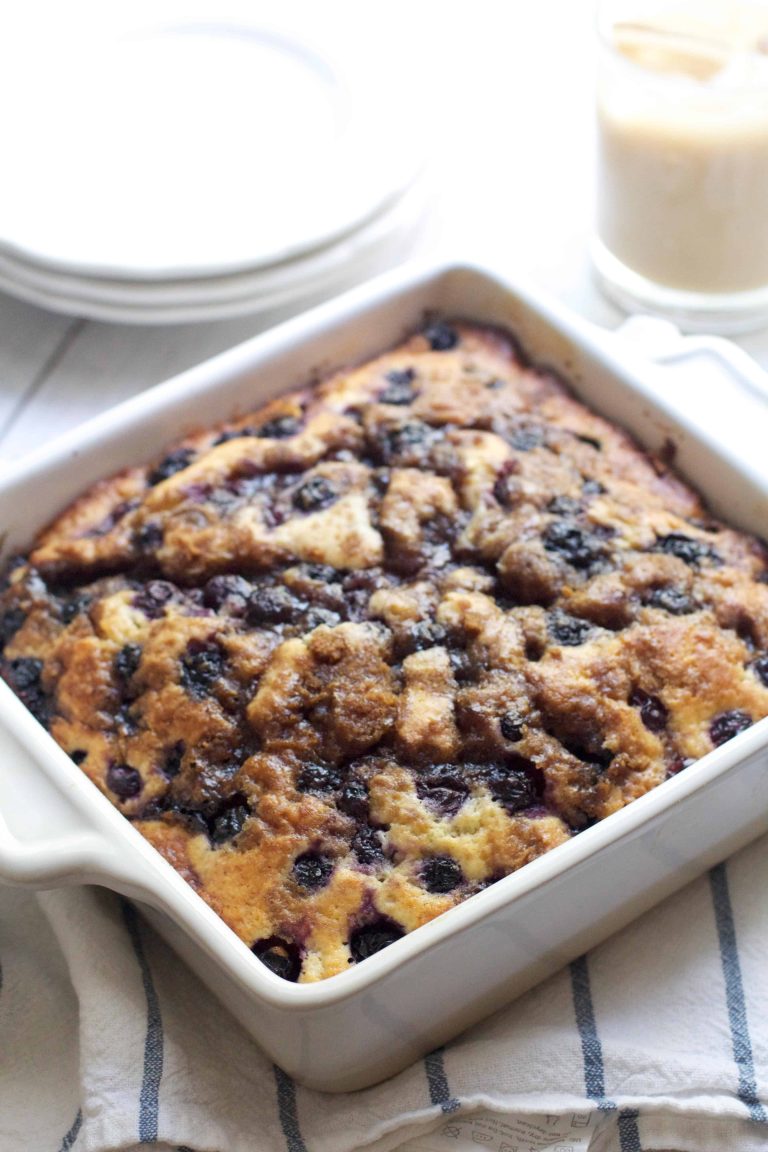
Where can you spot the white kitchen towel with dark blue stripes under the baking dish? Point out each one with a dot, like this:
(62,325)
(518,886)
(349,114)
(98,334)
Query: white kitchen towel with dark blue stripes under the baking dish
(657,1040)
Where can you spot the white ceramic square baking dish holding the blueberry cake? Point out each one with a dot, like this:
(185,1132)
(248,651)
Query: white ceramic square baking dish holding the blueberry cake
(360,1027)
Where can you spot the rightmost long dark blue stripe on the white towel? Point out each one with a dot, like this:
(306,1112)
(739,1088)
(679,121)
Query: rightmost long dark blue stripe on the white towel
(735,999)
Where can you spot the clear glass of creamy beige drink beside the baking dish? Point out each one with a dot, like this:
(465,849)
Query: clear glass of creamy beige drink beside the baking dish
(683,158)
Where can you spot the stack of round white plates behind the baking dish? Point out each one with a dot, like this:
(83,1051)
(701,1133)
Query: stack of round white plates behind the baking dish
(184,171)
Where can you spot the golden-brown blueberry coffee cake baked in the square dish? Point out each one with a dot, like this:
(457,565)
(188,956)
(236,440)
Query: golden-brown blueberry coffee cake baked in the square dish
(356,656)
